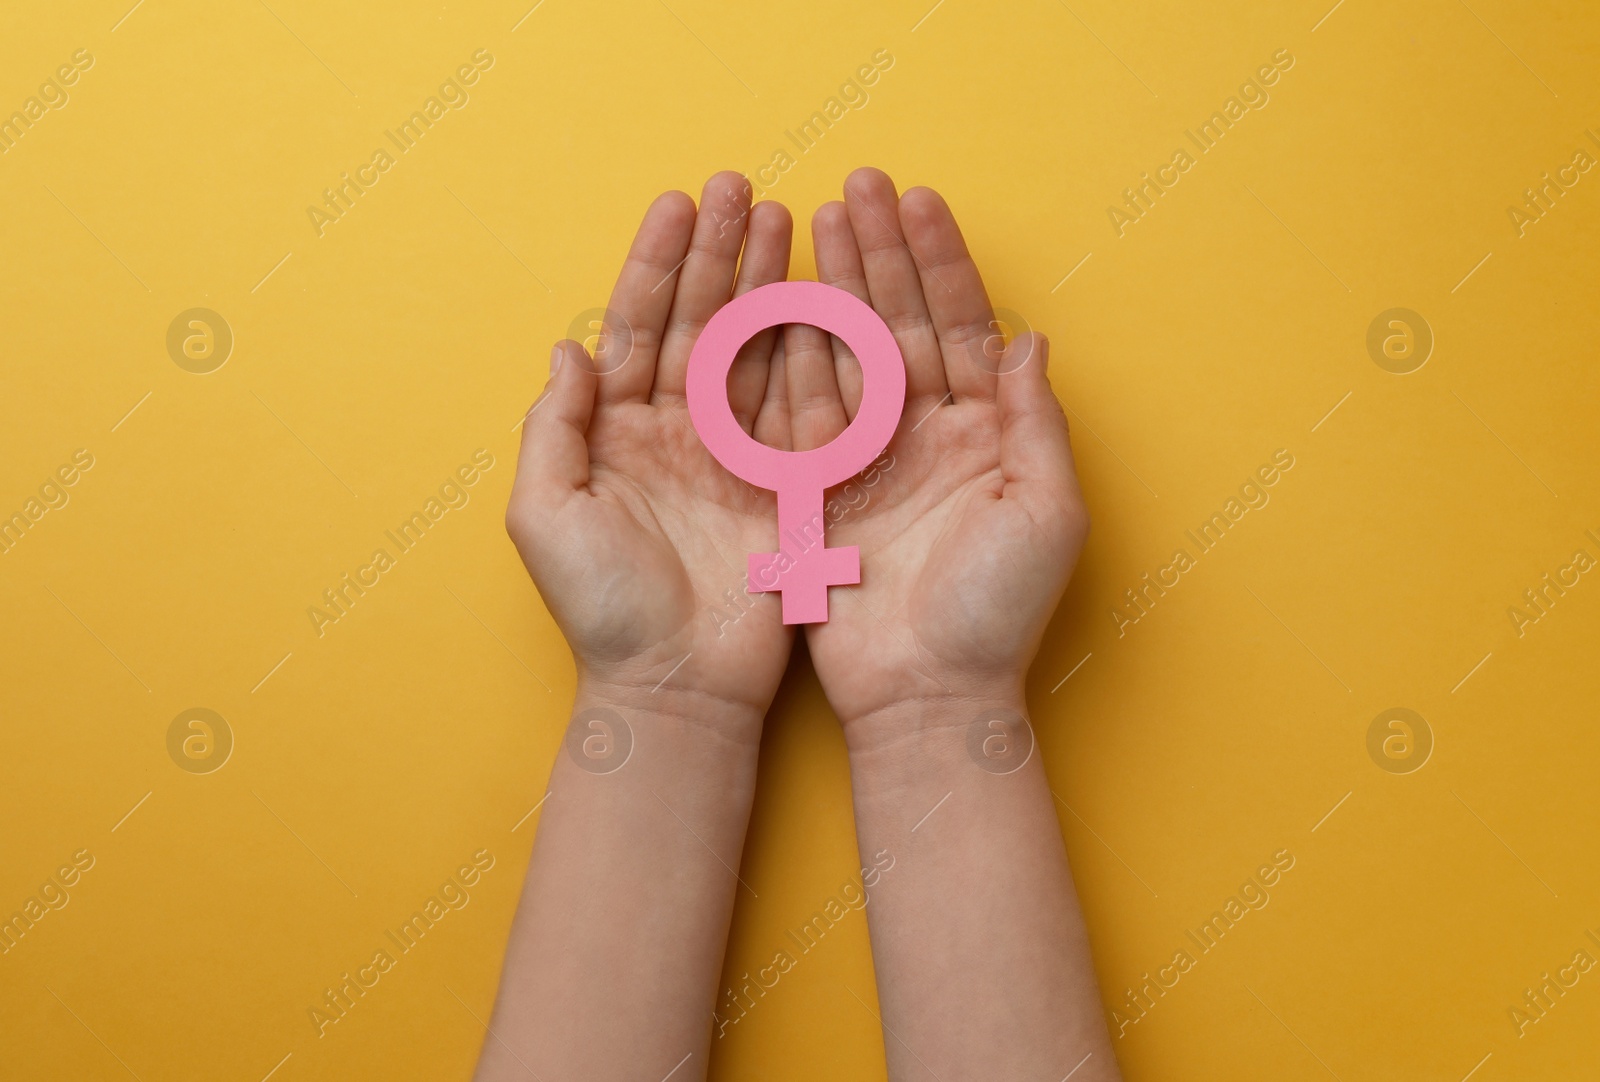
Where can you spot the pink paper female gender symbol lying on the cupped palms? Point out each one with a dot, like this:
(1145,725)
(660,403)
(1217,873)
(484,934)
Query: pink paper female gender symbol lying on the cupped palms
(804,567)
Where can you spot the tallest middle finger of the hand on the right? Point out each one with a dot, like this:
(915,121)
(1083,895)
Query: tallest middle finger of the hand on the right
(894,279)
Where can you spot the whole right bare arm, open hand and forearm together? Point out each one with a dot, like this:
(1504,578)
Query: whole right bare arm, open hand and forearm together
(967,542)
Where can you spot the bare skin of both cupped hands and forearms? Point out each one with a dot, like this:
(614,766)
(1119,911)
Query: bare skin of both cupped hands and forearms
(634,535)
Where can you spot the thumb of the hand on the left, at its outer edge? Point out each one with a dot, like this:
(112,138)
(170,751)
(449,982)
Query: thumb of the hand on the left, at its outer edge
(554,457)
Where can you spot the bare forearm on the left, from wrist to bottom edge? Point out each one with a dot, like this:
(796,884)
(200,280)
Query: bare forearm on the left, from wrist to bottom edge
(617,948)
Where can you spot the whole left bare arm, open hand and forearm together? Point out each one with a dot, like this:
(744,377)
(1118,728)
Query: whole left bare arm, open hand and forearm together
(631,534)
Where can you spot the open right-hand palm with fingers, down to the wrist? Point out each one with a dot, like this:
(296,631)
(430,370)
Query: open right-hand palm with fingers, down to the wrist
(969,539)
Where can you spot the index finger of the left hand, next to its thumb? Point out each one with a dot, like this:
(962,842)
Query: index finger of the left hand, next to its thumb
(642,299)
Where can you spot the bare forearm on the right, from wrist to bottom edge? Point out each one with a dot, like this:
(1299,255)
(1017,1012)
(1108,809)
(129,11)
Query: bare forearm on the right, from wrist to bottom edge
(977,934)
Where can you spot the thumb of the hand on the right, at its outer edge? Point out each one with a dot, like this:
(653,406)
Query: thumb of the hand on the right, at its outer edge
(1036,455)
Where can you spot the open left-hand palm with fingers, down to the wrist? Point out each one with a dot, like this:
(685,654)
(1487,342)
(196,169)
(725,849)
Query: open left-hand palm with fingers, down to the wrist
(634,535)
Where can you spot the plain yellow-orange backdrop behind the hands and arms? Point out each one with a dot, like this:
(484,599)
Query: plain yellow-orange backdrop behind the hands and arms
(166,158)
